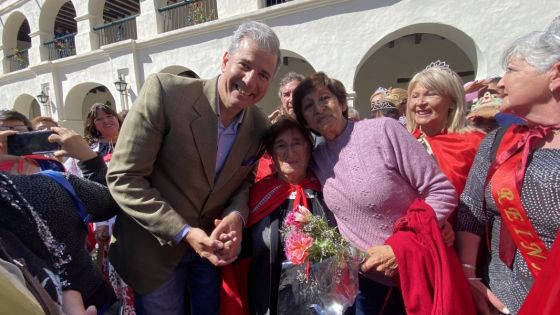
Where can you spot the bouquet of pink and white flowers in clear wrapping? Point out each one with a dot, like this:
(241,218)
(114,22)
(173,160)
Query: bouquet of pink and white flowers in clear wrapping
(322,272)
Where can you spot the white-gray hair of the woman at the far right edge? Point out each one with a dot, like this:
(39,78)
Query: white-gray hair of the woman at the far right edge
(539,49)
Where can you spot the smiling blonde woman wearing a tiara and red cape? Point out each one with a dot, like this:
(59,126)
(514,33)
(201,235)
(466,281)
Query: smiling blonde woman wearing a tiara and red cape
(436,117)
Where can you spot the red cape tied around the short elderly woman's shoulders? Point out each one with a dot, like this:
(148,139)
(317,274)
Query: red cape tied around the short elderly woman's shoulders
(266,196)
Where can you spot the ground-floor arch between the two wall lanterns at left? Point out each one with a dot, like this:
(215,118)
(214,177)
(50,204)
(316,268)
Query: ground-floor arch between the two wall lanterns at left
(80,99)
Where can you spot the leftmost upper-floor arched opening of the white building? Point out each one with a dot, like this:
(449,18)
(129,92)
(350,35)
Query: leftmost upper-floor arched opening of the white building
(16,42)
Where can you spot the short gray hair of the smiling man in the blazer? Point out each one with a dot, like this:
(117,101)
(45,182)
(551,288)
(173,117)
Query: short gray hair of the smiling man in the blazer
(262,34)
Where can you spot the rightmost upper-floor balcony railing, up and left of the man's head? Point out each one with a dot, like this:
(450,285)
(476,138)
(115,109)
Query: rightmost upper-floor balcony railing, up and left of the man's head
(187,13)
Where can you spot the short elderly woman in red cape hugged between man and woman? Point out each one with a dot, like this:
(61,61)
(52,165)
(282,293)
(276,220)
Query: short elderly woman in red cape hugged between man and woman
(262,289)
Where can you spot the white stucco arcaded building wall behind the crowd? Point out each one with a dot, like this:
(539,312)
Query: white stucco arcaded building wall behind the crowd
(338,37)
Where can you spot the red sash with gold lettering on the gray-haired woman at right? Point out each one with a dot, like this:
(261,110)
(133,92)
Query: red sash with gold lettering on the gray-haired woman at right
(506,175)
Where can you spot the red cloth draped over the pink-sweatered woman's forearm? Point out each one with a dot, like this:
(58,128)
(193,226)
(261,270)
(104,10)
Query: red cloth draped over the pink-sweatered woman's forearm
(431,277)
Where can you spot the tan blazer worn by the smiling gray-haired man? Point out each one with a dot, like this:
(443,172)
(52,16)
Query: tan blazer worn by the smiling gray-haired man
(162,174)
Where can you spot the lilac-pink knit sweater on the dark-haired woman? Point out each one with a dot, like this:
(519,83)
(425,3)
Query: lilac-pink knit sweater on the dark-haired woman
(371,173)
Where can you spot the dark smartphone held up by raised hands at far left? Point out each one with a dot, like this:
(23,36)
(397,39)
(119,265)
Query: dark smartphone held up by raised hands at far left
(34,142)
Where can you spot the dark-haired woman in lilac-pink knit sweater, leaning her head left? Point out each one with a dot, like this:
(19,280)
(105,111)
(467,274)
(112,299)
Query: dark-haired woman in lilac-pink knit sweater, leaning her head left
(370,171)
